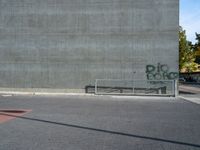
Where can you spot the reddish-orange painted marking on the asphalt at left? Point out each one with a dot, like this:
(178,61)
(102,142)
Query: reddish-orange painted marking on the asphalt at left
(9,114)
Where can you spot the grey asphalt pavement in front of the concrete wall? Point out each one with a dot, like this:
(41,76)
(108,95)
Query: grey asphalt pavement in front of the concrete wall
(99,123)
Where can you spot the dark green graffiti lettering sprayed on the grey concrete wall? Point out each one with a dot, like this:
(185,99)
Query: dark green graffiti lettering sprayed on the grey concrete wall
(160,72)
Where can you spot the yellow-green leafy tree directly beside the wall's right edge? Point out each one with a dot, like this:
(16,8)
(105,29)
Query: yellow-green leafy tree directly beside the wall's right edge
(186,54)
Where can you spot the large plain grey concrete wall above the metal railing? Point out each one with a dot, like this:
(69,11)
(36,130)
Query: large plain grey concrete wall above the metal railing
(67,44)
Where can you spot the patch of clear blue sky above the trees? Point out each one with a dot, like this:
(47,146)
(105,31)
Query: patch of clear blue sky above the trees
(190,17)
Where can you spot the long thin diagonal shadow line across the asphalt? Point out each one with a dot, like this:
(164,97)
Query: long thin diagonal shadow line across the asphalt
(108,131)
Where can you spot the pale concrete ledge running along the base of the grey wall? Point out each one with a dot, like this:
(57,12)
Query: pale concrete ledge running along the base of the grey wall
(71,92)
